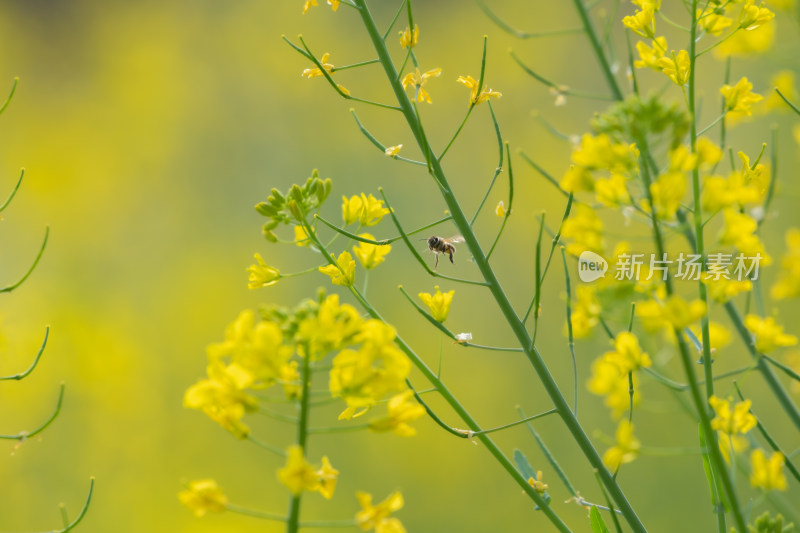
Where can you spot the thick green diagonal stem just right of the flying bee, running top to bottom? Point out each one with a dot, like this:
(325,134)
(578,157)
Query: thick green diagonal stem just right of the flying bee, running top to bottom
(518,328)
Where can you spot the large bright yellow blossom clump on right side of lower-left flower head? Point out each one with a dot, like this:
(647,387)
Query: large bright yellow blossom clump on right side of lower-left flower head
(367,374)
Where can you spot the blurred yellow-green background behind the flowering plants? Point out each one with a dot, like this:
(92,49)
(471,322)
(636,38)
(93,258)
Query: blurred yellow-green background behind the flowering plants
(150,129)
